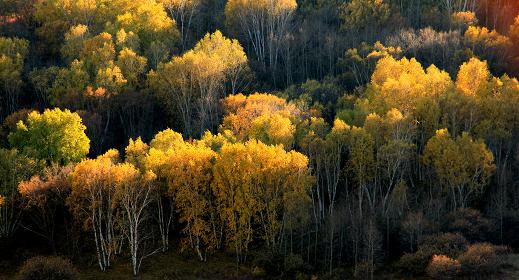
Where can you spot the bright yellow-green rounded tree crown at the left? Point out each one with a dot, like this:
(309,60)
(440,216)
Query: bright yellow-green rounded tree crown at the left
(54,136)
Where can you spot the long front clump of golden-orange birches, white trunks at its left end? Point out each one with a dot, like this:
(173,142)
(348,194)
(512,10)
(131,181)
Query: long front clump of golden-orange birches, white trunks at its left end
(225,197)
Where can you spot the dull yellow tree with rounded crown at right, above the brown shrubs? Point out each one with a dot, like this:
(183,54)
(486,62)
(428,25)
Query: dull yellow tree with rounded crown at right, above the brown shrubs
(463,166)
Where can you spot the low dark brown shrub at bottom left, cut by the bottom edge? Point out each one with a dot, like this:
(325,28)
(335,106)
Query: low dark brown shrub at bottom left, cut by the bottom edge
(47,268)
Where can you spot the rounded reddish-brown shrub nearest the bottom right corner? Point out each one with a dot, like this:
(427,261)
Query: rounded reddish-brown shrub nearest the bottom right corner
(482,258)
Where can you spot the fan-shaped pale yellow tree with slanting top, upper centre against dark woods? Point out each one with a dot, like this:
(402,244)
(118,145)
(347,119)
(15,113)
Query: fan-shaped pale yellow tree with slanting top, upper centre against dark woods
(196,80)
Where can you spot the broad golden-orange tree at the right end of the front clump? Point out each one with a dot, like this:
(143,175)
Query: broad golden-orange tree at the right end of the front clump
(256,184)
